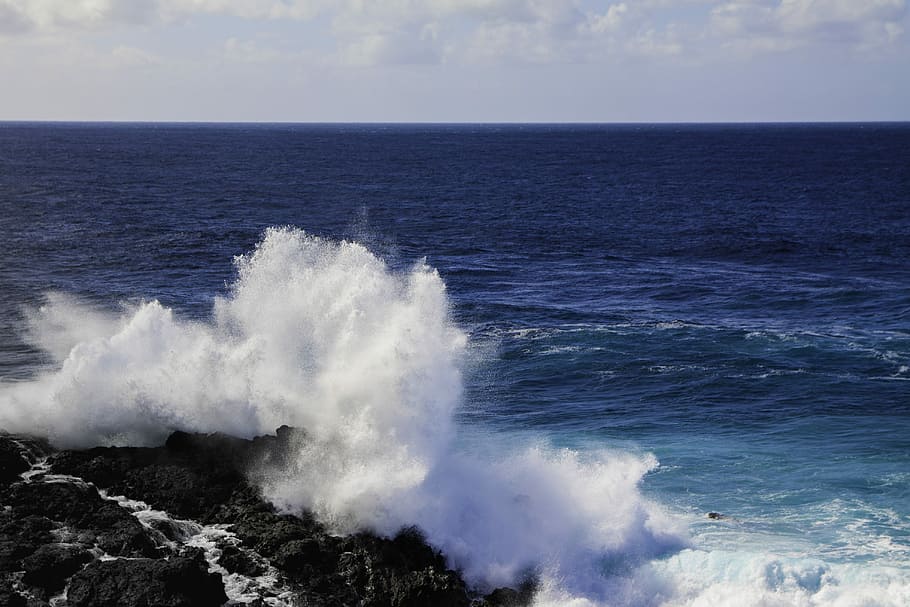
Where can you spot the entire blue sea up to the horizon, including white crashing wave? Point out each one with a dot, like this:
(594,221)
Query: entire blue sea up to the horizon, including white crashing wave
(555,348)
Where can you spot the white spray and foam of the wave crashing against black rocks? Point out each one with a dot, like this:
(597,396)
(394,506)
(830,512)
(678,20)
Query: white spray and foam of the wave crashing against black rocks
(322,335)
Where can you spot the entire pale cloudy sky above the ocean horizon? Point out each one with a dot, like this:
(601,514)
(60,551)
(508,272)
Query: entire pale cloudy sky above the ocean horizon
(455,60)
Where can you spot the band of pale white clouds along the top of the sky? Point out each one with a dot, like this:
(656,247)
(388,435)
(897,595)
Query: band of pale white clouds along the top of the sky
(382,32)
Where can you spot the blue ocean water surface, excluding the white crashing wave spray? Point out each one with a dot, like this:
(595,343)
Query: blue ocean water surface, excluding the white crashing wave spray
(734,299)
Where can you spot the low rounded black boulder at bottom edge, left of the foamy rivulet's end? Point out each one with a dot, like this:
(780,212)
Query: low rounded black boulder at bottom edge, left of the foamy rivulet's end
(176,582)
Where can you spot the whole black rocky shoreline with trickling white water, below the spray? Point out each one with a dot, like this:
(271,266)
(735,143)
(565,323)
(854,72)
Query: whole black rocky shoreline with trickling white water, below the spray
(182,526)
